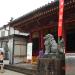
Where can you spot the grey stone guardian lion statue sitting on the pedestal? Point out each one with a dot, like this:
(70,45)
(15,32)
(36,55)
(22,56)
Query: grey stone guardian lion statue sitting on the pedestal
(50,44)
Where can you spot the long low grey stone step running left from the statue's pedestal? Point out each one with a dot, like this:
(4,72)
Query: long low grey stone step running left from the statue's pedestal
(20,69)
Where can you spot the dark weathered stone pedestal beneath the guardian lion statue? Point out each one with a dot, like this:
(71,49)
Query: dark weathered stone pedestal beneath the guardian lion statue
(51,64)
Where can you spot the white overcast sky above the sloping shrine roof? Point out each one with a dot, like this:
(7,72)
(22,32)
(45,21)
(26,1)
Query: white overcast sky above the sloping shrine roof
(17,8)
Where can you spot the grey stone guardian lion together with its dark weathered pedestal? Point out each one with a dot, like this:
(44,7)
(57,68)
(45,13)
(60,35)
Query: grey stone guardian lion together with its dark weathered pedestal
(53,60)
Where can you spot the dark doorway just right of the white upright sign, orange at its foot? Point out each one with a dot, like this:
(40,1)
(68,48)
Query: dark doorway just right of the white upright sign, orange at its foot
(35,46)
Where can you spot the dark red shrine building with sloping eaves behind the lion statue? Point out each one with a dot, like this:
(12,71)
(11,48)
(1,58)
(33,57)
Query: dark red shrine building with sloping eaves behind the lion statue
(44,20)
